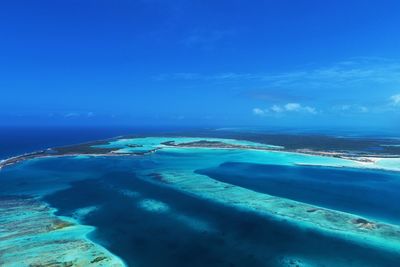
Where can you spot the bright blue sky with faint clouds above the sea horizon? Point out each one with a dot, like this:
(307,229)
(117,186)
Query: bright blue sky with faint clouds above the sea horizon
(305,63)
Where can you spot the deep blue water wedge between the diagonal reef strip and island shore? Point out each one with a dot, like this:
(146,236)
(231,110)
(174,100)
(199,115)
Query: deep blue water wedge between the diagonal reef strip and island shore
(371,193)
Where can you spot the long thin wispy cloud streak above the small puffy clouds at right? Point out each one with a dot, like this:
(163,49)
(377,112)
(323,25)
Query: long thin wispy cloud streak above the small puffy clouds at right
(345,75)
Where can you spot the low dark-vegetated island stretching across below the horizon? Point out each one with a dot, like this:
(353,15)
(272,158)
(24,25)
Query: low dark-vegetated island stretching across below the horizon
(342,147)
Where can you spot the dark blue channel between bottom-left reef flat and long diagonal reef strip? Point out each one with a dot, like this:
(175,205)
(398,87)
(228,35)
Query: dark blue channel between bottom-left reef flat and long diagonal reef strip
(144,238)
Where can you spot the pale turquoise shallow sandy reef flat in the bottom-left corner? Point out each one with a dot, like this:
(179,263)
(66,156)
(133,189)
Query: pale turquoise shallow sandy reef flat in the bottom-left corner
(31,235)
